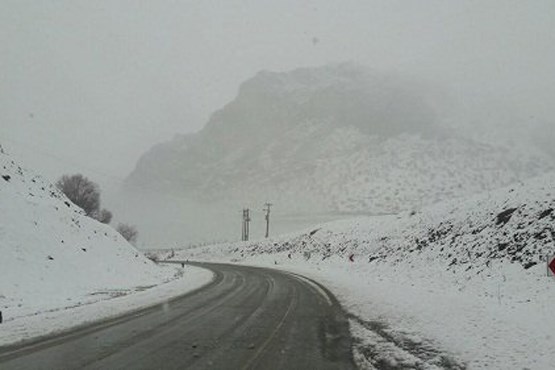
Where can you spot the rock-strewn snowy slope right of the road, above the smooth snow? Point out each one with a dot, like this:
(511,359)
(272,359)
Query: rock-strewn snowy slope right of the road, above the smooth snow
(513,225)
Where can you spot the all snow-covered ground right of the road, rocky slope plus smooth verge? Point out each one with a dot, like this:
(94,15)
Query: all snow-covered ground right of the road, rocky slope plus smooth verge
(459,284)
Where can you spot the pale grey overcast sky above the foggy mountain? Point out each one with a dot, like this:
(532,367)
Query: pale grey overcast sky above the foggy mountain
(91,85)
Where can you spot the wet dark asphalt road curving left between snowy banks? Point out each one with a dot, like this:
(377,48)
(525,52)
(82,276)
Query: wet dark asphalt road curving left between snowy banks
(247,318)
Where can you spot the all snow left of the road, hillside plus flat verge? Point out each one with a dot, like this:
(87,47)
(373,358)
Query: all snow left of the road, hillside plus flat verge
(54,260)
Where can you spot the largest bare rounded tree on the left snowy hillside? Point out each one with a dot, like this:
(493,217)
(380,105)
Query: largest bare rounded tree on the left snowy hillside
(81,191)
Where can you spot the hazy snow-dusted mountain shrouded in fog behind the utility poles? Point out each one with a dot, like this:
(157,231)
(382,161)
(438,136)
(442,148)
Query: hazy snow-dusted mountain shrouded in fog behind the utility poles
(330,140)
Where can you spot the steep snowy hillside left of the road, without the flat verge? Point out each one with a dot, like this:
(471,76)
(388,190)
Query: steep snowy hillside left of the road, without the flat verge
(53,256)
